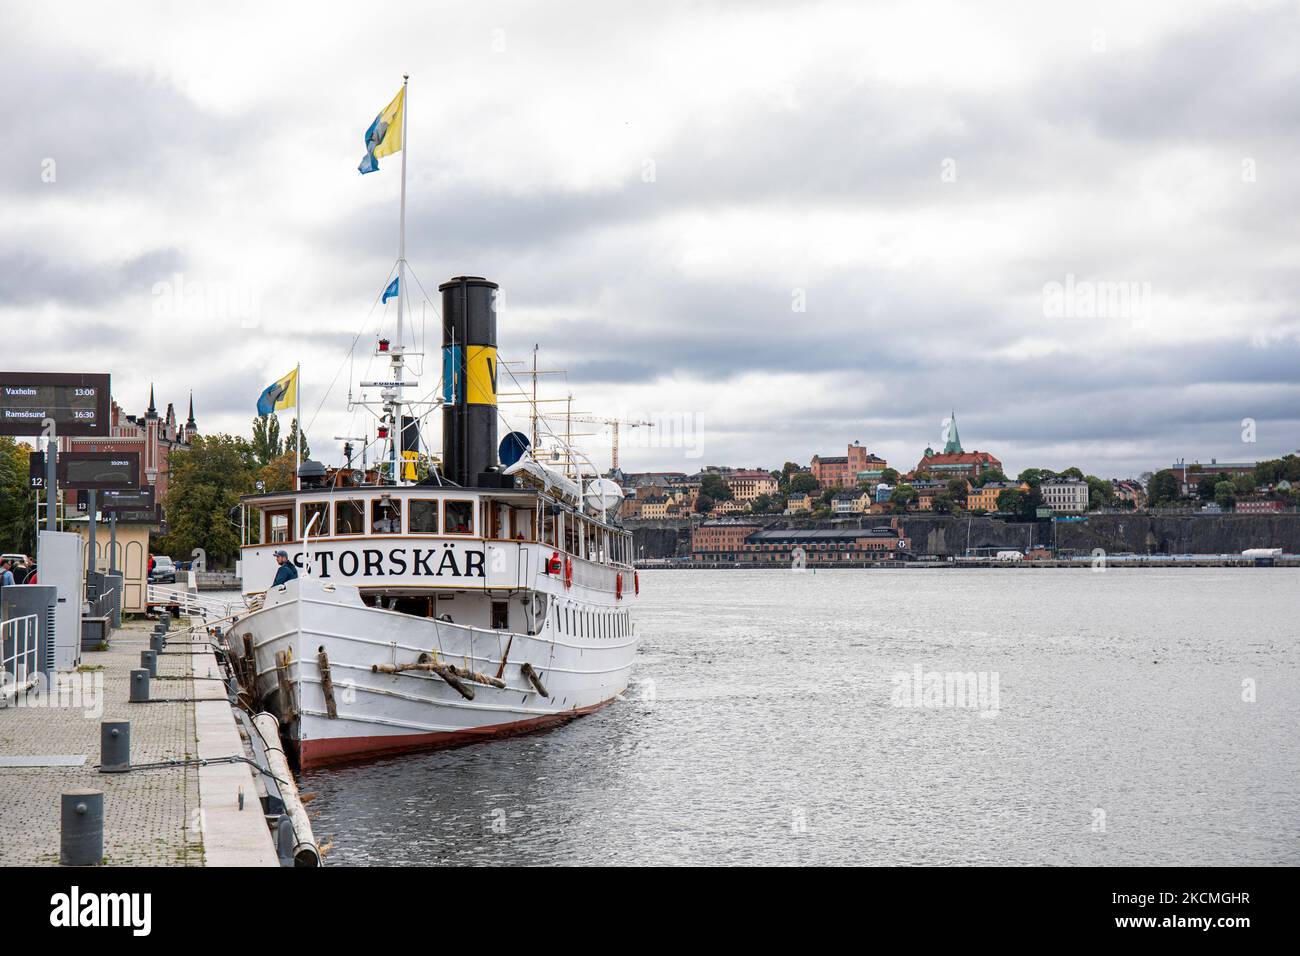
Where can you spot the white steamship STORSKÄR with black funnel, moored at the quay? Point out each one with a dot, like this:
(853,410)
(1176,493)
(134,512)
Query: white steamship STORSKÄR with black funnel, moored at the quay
(492,598)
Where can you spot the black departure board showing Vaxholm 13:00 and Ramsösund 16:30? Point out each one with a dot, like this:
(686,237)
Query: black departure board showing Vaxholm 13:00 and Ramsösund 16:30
(79,404)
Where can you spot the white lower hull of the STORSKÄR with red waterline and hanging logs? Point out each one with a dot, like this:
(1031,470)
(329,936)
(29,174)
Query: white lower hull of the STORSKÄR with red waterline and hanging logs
(376,712)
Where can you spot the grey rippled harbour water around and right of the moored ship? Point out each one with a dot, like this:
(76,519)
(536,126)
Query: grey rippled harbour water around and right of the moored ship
(762,729)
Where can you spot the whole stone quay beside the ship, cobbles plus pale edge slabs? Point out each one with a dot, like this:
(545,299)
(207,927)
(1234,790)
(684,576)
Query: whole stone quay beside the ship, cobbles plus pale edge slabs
(187,815)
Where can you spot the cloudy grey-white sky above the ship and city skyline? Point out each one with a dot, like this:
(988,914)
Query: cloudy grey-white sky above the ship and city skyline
(770,228)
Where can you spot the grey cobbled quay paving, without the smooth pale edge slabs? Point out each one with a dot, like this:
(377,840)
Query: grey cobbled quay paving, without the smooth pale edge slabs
(151,817)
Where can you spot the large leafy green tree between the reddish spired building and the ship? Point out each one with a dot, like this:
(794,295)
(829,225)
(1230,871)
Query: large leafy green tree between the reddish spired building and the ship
(205,487)
